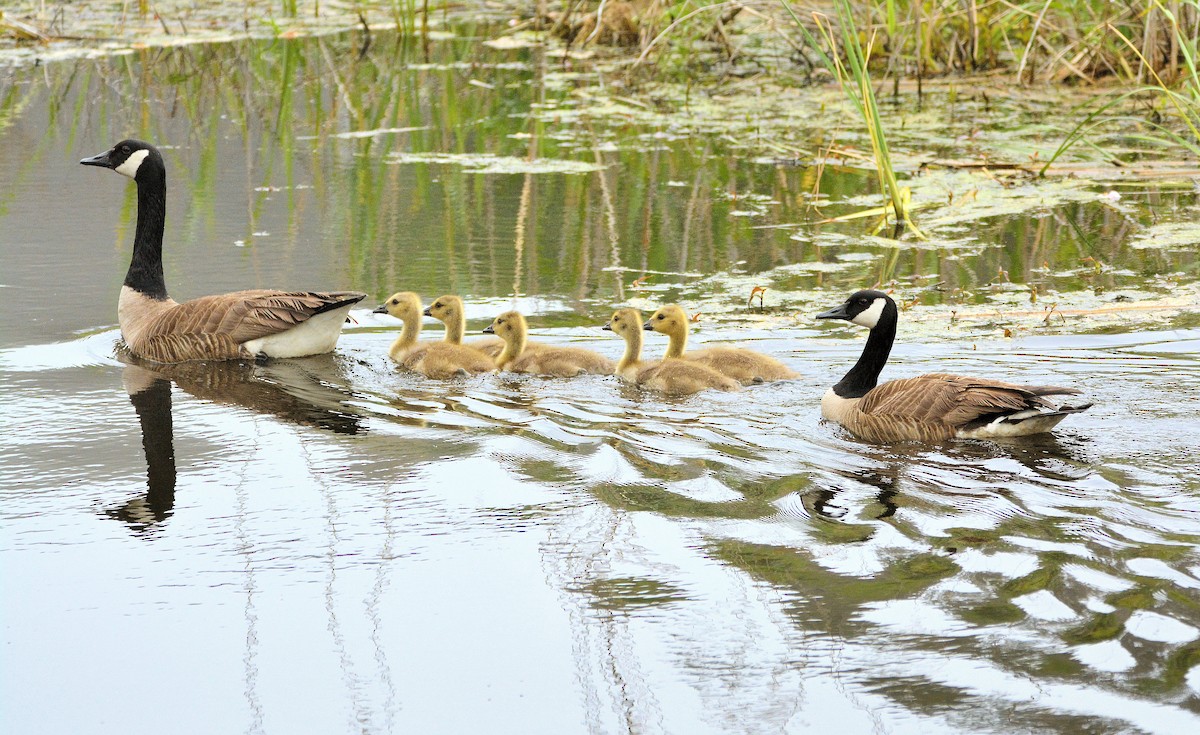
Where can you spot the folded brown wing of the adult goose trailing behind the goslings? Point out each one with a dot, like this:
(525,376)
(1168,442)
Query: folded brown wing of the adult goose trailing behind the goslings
(953,401)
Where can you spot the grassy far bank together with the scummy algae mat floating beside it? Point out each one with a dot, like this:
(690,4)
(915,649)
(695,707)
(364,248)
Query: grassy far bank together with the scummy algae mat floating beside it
(835,86)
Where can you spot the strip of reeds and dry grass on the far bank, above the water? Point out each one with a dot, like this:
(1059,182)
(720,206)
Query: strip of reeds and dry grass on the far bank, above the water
(1079,44)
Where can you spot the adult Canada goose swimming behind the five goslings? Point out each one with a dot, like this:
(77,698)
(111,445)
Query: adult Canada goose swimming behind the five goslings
(931,408)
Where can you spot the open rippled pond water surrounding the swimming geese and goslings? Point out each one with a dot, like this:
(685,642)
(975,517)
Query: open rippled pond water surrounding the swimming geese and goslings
(332,546)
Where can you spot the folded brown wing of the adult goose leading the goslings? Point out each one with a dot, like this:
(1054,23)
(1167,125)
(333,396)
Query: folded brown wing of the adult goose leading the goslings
(247,315)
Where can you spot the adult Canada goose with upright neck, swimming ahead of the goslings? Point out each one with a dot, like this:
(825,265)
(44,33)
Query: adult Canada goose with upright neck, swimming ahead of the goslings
(230,326)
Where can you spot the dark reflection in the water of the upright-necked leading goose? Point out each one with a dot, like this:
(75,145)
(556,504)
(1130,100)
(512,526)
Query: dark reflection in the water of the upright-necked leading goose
(296,391)
